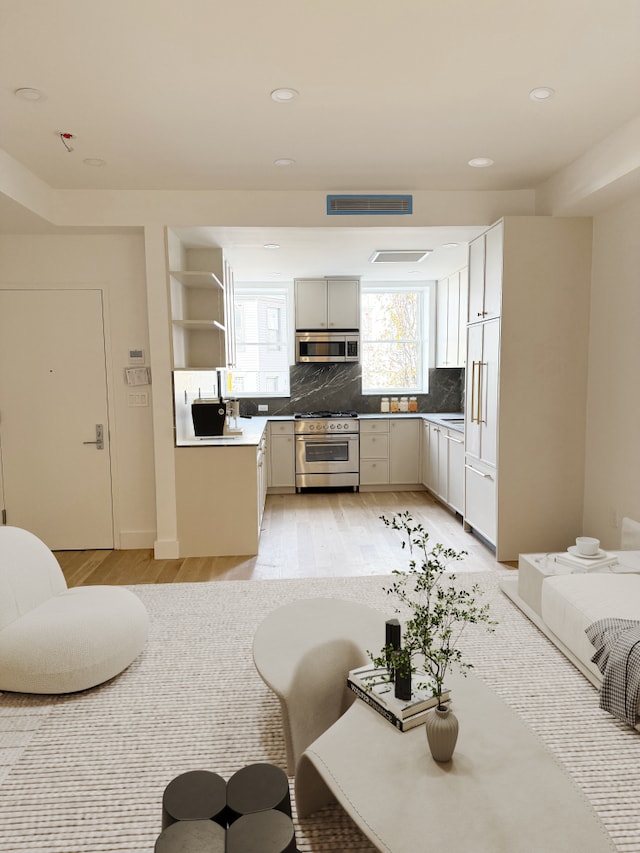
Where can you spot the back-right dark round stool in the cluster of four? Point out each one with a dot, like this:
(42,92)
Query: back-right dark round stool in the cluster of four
(257,788)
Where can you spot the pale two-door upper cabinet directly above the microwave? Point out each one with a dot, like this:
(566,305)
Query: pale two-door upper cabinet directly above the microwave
(327,303)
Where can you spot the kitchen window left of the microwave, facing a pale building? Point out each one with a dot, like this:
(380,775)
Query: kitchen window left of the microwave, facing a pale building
(262,347)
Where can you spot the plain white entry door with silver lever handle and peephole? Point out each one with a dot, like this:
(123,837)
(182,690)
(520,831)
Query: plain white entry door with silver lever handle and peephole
(53,395)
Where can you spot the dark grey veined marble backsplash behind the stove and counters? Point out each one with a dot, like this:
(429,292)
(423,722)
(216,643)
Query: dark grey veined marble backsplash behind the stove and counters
(337,387)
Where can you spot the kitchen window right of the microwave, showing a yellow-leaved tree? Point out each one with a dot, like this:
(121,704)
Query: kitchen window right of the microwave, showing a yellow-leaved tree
(396,337)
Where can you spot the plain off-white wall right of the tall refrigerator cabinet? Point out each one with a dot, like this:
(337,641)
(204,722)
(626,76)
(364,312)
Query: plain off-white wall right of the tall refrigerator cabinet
(612,470)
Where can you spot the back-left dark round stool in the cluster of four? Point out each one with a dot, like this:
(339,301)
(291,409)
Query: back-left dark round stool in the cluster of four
(196,795)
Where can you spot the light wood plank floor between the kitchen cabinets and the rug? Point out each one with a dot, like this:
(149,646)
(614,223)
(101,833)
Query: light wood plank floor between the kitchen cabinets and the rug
(332,534)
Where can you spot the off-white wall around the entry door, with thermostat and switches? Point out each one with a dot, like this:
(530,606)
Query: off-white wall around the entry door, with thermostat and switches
(116,264)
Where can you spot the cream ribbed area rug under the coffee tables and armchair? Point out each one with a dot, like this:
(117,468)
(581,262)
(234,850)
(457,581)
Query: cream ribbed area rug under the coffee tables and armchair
(85,773)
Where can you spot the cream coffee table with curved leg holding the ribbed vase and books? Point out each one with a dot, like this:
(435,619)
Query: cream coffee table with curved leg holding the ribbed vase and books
(503,792)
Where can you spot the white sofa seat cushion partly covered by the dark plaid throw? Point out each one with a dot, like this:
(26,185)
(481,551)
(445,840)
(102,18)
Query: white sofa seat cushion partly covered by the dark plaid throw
(570,603)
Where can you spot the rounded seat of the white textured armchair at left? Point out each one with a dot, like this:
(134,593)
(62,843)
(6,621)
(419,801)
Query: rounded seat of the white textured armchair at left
(74,640)
